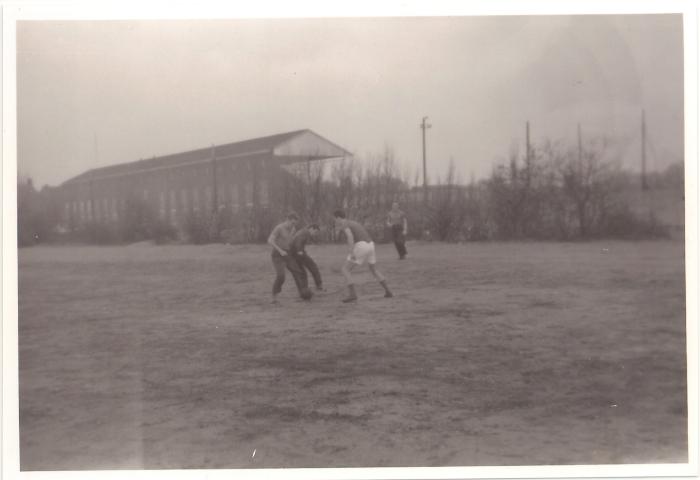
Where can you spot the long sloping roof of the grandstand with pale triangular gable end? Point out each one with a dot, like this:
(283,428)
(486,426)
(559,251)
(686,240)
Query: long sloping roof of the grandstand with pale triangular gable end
(296,144)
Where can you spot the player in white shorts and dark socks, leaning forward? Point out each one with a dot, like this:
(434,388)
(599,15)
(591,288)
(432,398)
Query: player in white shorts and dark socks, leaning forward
(361,249)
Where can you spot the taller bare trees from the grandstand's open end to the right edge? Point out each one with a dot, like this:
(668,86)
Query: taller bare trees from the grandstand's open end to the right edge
(552,192)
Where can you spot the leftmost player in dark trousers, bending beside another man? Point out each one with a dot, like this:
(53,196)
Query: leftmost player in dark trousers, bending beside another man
(280,239)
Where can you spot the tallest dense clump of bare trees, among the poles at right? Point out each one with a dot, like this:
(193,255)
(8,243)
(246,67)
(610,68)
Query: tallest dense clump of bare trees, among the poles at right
(563,193)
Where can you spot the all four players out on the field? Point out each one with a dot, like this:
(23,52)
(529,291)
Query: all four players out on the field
(288,243)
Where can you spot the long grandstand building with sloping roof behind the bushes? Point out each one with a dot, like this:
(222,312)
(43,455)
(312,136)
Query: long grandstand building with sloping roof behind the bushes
(236,175)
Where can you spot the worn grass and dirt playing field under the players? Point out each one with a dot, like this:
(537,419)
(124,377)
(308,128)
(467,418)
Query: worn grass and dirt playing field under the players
(489,354)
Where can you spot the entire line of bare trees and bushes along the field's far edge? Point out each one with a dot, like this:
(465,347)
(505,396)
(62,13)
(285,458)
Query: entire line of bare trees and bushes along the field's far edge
(551,192)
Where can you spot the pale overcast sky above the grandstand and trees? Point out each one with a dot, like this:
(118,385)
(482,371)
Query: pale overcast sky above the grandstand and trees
(95,93)
